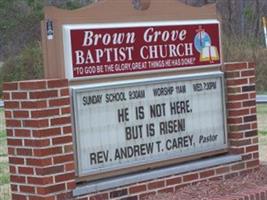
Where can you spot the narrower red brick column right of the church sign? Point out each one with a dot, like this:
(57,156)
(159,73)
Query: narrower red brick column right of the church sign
(241,108)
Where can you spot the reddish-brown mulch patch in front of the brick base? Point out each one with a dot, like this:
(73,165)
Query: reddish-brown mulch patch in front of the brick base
(210,190)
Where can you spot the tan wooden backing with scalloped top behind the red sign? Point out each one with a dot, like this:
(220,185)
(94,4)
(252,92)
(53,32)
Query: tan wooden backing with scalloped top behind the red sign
(107,11)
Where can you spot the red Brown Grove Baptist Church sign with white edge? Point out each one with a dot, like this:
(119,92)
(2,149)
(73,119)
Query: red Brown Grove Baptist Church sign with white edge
(92,50)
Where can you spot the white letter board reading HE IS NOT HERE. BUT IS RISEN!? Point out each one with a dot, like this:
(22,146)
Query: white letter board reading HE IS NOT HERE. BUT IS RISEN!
(125,124)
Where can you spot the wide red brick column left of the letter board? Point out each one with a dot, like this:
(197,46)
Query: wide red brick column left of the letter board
(40,146)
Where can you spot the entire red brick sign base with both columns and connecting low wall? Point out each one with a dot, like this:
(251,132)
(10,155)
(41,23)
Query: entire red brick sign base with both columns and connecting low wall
(40,146)
